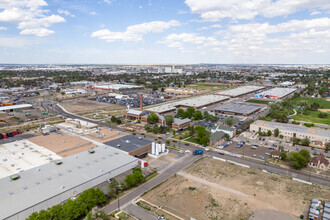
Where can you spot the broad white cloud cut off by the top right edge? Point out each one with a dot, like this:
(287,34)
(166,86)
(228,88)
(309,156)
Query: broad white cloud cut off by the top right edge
(214,10)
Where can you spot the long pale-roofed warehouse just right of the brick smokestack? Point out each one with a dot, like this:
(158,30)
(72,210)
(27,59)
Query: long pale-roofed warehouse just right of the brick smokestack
(198,102)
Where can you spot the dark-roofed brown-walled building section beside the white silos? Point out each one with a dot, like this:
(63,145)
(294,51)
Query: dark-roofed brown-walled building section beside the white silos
(132,145)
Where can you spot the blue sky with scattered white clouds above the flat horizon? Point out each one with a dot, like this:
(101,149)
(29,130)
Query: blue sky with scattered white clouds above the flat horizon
(164,31)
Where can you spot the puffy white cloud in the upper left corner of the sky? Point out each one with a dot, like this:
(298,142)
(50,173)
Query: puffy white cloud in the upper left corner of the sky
(29,15)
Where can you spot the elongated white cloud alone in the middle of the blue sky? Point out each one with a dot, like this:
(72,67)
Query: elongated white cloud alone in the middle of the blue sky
(135,32)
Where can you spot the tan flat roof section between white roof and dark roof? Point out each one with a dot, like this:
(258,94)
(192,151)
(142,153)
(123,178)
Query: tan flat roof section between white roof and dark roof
(62,144)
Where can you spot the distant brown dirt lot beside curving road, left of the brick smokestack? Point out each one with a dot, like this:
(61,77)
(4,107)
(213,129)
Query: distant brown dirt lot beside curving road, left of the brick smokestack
(85,106)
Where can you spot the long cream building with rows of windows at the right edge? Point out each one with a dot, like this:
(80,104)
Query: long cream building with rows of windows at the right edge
(318,137)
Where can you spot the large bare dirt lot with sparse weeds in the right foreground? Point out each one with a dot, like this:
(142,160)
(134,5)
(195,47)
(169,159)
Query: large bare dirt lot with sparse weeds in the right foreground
(211,189)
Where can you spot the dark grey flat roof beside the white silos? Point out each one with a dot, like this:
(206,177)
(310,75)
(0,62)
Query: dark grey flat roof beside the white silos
(129,143)
